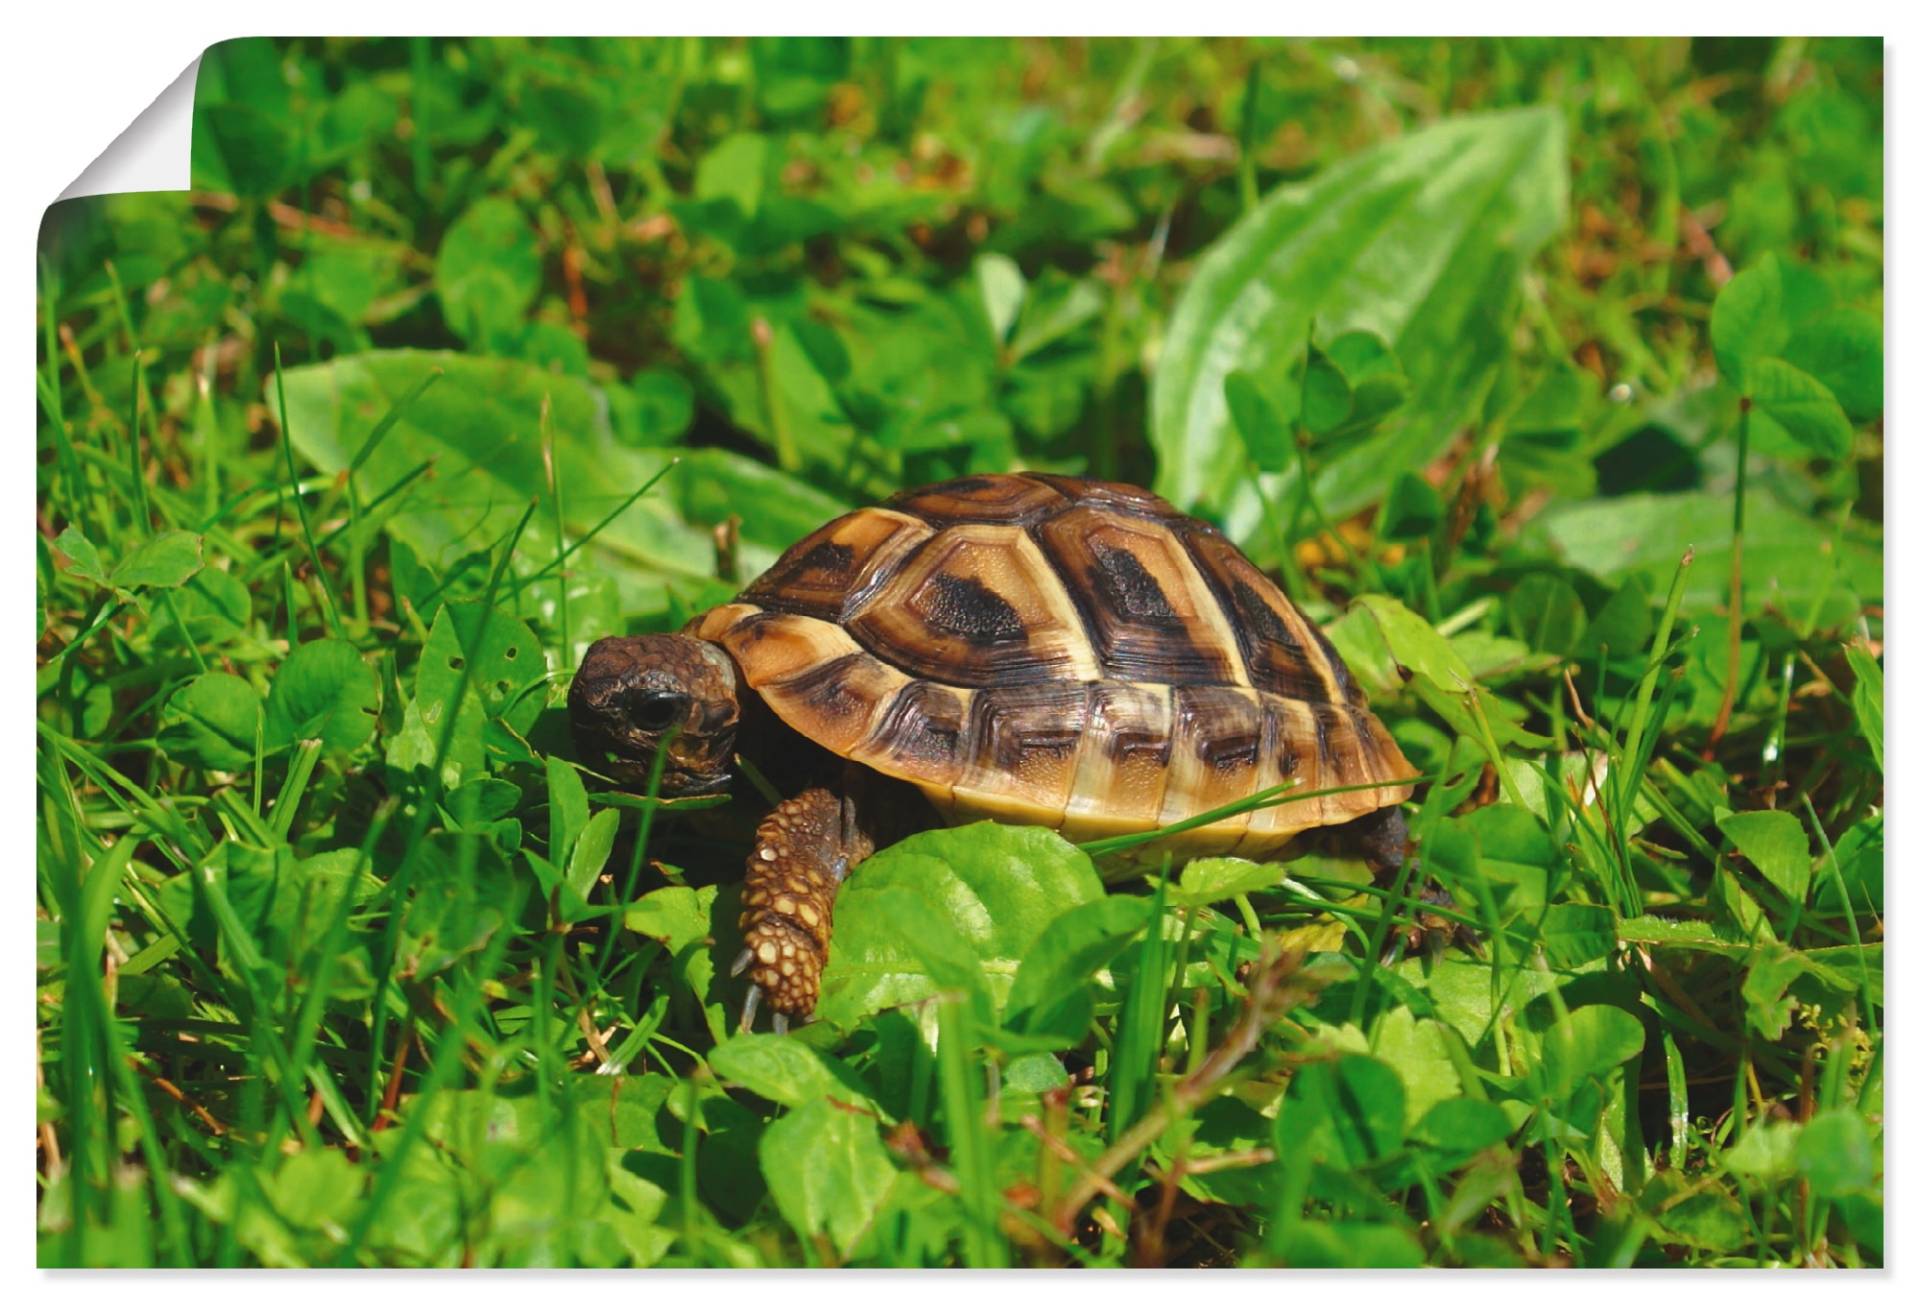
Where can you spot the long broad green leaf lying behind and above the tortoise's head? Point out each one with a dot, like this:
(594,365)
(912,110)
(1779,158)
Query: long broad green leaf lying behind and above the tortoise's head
(479,429)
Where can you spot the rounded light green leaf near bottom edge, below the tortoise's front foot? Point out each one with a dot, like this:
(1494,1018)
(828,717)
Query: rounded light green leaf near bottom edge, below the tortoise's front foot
(828,1172)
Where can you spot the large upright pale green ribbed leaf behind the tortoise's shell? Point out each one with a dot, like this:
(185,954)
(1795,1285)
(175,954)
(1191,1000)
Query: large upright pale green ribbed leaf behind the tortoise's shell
(1420,241)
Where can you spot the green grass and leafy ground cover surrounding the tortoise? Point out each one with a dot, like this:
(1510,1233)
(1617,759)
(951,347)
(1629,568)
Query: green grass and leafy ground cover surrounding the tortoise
(1560,412)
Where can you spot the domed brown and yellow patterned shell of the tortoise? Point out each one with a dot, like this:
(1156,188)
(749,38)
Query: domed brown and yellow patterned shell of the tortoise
(1063,653)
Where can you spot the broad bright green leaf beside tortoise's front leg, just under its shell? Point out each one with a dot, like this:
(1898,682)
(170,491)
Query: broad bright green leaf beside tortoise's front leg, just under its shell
(990,890)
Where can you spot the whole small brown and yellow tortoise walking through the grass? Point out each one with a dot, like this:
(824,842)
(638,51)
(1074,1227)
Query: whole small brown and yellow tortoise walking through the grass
(1032,650)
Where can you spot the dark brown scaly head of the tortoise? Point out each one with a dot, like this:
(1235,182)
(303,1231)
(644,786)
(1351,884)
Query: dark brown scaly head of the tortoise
(635,698)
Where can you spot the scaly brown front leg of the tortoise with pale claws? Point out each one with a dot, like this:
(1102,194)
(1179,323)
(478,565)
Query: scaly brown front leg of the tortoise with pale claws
(800,857)
